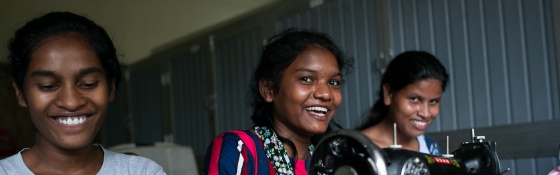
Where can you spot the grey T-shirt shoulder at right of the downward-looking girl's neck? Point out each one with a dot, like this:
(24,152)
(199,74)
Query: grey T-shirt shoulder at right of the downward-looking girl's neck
(118,163)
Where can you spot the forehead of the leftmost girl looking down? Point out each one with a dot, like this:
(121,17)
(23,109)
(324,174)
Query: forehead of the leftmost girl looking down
(63,53)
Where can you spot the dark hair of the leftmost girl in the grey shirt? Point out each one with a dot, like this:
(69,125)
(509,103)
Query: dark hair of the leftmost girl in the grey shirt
(29,37)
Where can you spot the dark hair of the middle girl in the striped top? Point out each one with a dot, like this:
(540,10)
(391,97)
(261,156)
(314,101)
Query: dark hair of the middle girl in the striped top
(280,51)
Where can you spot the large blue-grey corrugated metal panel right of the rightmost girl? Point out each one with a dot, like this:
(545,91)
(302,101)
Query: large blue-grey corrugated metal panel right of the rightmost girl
(497,53)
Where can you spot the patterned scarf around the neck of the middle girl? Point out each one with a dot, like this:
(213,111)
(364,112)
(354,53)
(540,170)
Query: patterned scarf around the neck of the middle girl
(275,151)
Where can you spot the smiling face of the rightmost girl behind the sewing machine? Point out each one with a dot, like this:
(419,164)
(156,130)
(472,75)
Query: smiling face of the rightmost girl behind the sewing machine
(415,106)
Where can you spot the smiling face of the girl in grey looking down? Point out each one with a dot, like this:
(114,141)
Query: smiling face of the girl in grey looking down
(66,92)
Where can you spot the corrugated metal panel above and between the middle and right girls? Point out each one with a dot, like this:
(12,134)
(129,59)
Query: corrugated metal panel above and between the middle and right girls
(351,24)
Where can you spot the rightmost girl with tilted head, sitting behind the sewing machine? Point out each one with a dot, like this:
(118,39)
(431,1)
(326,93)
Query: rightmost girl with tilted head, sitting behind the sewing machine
(411,89)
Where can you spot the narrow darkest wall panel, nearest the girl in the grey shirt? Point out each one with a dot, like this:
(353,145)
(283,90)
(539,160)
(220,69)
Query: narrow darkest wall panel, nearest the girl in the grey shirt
(145,90)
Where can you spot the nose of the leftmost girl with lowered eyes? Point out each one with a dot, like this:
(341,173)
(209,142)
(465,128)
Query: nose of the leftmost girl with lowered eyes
(70,98)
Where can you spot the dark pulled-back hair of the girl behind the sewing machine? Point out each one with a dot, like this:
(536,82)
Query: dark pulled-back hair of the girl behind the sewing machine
(406,68)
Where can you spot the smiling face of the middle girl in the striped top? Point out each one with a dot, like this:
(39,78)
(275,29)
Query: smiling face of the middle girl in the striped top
(309,93)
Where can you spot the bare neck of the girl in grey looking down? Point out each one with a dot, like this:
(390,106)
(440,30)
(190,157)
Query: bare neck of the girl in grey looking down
(44,158)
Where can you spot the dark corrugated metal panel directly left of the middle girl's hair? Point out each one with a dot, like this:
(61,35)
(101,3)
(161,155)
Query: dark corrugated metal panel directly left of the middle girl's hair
(236,58)
